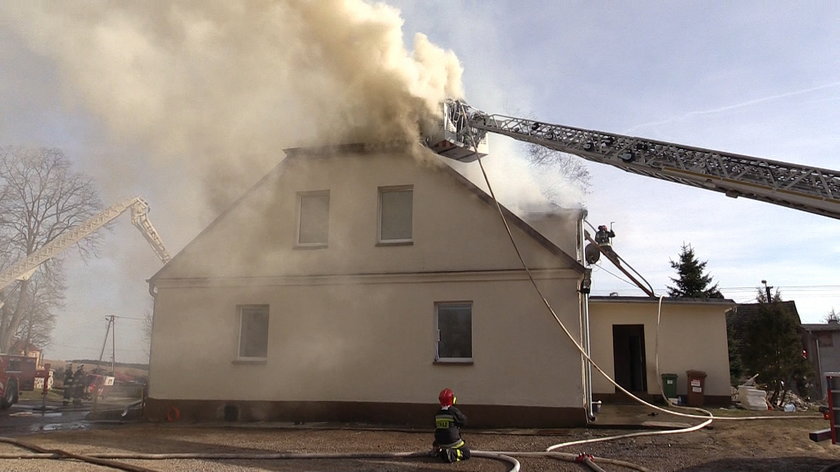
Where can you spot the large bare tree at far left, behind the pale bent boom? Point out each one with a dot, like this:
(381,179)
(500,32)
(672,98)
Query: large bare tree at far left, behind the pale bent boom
(42,198)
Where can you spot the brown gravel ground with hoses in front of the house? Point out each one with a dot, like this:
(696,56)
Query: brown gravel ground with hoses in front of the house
(779,445)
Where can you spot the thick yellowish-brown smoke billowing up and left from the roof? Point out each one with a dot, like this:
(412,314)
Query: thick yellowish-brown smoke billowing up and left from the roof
(218,88)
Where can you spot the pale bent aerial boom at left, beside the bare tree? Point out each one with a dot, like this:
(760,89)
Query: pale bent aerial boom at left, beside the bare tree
(23,269)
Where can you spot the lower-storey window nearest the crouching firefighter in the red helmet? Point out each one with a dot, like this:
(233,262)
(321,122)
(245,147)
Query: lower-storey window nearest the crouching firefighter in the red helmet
(454,332)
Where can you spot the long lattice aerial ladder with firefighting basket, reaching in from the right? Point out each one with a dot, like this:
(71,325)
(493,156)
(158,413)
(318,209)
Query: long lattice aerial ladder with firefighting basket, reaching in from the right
(805,188)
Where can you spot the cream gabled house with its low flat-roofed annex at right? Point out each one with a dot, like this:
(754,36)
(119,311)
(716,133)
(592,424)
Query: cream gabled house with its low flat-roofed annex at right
(354,283)
